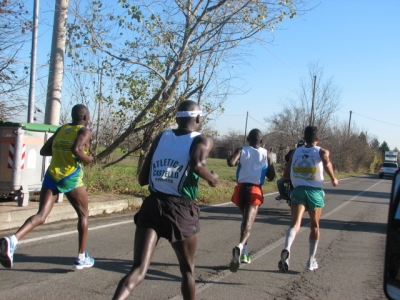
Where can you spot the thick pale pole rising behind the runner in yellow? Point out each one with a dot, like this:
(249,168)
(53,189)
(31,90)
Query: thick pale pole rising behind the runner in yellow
(54,85)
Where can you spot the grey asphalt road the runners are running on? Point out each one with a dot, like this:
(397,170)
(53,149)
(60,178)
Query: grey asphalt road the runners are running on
(350,254)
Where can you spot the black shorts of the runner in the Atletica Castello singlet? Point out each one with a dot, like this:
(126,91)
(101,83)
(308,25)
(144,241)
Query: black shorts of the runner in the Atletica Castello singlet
(173,218)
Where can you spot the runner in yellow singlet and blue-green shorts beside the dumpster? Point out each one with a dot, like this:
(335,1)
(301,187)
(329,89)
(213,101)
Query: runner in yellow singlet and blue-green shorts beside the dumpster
(68,147)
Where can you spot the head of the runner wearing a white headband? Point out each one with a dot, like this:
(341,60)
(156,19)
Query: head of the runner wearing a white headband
(189,115)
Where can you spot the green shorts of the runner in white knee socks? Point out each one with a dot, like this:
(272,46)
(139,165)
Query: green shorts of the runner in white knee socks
(308,196)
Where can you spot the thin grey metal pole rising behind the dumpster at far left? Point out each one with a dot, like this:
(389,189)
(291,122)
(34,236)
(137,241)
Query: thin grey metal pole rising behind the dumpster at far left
(31,101)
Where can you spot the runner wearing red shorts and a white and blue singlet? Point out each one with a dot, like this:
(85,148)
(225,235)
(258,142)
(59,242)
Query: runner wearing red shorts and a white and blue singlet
(254,163)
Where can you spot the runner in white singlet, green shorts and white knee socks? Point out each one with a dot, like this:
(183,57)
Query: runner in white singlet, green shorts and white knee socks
(306,171)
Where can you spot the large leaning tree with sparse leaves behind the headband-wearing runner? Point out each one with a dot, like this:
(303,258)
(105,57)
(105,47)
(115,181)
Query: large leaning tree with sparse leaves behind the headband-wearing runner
(162,53)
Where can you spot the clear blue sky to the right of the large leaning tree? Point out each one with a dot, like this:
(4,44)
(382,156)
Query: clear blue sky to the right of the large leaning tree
(357,42)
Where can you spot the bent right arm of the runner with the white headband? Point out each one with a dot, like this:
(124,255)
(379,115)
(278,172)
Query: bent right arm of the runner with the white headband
(201,148)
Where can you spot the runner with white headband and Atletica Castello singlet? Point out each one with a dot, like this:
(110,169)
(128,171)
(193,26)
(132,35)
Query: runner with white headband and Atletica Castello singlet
(176,160)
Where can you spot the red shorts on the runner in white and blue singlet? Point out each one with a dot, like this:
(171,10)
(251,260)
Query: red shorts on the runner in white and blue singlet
(247,193)
